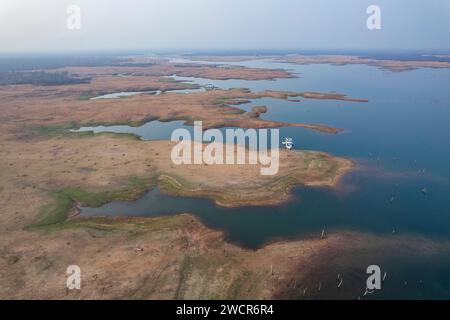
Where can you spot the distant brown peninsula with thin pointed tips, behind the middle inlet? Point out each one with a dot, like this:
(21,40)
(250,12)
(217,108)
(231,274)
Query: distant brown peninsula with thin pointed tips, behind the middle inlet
(31,106)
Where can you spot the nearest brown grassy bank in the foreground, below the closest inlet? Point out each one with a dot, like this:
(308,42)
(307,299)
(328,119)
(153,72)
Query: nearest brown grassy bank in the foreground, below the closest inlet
(179,258)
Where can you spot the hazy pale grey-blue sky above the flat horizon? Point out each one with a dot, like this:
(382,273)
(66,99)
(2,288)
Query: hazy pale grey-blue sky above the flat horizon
(40,25)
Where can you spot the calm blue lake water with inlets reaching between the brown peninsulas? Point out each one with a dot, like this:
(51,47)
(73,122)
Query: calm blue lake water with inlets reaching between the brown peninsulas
(400,140)
